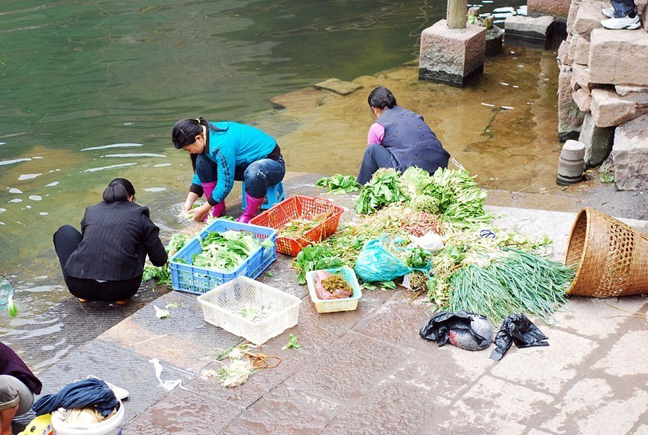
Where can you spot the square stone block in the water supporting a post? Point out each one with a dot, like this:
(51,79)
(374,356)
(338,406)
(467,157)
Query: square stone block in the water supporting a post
(452,56)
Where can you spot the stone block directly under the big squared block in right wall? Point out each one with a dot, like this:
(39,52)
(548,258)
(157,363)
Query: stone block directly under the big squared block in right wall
(610,109)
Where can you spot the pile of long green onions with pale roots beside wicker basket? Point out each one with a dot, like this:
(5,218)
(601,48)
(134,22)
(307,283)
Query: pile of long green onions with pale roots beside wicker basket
(498,276)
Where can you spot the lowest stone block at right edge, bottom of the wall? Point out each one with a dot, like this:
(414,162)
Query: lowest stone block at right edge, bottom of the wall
(630,154)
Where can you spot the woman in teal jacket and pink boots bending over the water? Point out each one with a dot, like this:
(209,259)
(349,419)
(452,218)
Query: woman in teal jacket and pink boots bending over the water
(222,152)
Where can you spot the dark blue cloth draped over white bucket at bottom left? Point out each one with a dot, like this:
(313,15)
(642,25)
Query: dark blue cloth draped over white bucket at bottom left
(88,393)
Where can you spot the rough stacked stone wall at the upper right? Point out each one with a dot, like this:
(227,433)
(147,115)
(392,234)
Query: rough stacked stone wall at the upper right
(603,91)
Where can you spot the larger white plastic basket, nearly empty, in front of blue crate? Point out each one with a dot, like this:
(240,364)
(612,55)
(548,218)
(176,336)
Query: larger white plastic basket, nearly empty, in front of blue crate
(250,309)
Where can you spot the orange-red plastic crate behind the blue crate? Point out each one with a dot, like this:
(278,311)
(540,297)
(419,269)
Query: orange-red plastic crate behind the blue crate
(300,207)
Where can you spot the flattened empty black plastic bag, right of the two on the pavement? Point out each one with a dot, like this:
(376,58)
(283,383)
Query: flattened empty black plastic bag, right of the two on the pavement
(518,329)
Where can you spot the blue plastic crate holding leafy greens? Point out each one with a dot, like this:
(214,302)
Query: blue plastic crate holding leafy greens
(199,280)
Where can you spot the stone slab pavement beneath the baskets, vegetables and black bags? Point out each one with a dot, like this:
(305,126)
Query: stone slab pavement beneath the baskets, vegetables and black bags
(369,371)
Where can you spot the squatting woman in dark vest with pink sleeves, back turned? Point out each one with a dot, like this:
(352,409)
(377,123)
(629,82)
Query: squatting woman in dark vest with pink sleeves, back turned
(399,139)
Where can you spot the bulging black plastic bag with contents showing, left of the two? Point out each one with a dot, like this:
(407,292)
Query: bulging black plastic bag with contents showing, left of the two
(462,329)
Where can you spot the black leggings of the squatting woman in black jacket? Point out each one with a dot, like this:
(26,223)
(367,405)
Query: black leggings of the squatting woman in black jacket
(66,241)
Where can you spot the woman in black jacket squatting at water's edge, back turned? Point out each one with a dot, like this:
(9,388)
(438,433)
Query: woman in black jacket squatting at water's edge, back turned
(104,262)
